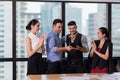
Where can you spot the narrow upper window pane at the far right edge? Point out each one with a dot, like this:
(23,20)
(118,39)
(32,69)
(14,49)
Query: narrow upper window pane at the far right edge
(116,29)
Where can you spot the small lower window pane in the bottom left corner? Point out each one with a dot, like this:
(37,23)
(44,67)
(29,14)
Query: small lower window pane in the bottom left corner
(6,71)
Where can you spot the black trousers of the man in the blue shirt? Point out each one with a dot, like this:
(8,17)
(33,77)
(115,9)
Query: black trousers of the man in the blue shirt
(54,67)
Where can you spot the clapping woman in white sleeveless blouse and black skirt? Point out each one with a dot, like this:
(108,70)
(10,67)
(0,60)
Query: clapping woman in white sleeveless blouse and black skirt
(35,47)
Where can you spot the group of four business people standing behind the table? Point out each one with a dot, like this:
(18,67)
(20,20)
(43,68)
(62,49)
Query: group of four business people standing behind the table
(76,45)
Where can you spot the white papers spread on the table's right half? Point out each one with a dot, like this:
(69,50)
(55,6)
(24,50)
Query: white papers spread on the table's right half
(114,76)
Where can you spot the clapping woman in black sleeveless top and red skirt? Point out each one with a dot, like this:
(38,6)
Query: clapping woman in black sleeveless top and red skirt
(101,52)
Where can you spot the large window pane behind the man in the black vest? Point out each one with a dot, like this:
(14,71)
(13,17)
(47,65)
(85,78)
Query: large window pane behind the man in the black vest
(88,17)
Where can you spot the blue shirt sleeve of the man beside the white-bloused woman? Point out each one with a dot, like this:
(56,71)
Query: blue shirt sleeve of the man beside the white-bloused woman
(52,44)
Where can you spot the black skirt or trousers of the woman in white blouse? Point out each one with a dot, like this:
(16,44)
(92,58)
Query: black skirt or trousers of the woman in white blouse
(35,64)
